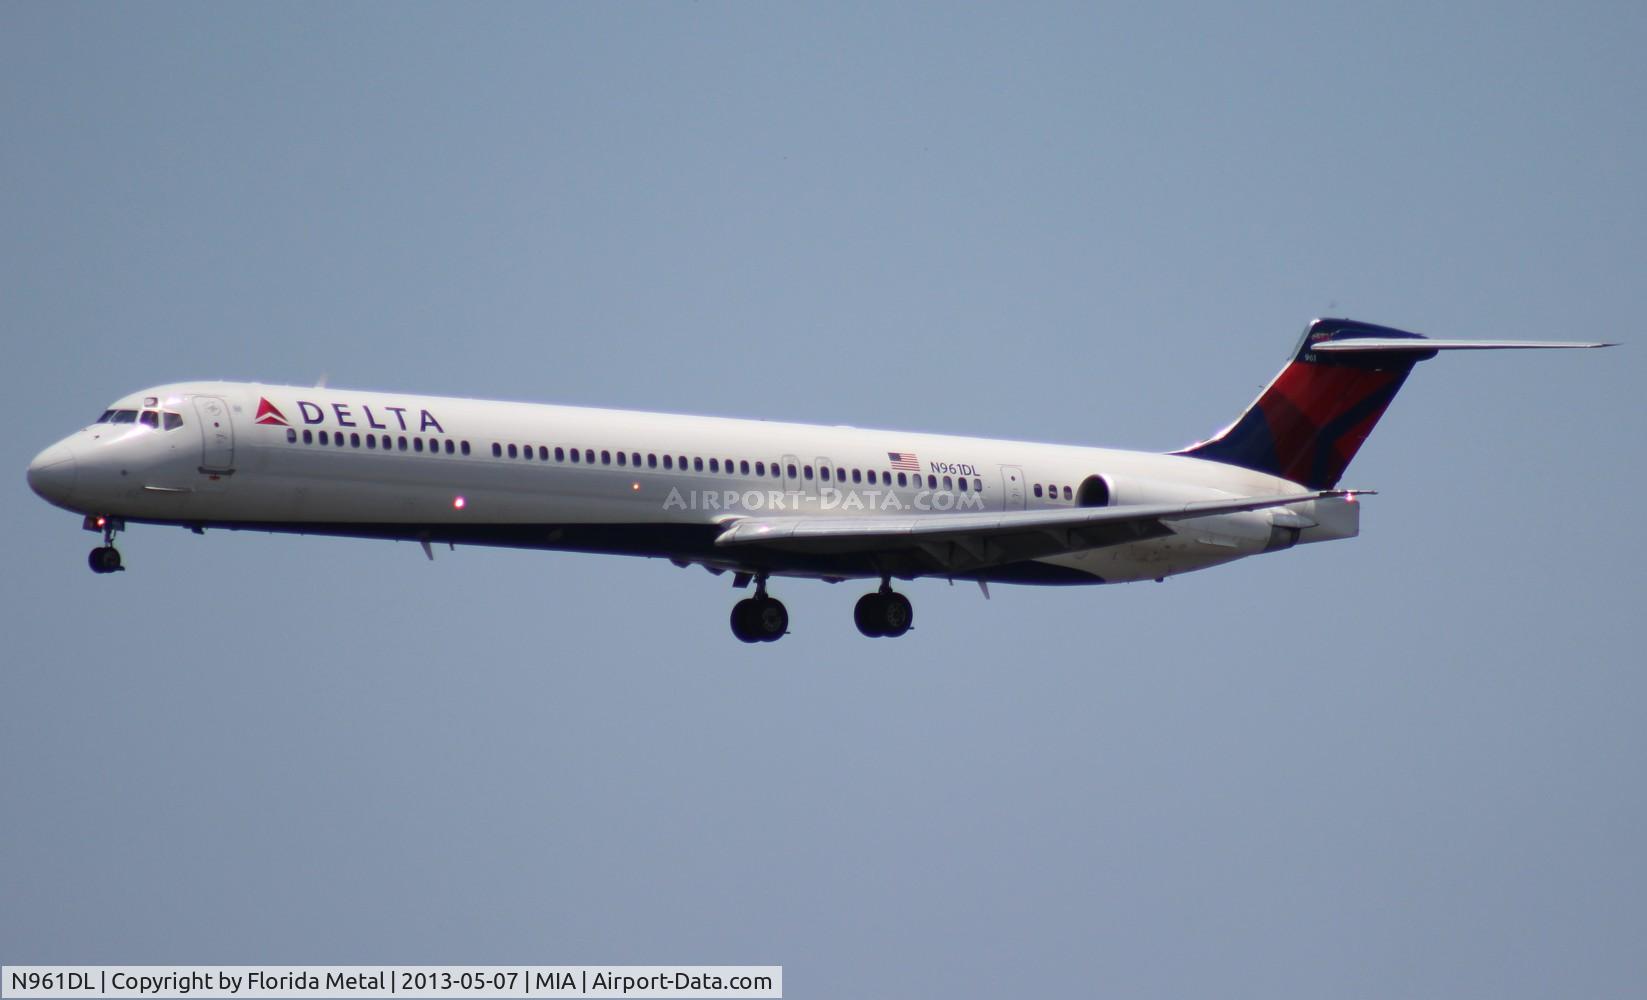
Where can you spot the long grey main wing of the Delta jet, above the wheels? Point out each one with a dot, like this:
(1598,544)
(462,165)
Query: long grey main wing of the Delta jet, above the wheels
(963,543)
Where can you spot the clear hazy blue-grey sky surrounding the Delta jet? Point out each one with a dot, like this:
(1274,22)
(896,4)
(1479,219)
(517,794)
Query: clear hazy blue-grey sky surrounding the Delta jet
(1404,765)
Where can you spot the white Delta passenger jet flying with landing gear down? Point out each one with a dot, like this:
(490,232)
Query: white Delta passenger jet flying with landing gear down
(752,498)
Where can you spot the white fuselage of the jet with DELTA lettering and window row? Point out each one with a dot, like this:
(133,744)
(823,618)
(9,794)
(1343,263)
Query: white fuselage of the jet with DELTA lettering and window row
(548,477)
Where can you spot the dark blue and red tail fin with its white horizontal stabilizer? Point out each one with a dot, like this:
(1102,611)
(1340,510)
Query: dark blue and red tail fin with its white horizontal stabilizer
(1309,424)
